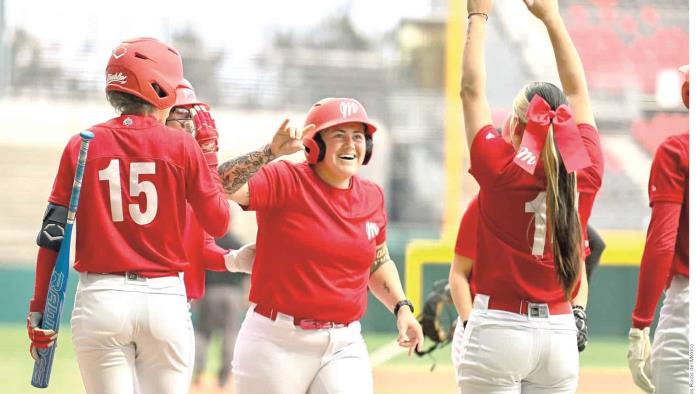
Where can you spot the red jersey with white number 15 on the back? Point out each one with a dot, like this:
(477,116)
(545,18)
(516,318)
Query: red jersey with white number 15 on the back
(132,215)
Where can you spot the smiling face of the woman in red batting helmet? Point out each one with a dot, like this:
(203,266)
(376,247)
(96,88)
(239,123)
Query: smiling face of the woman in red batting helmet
(345,152)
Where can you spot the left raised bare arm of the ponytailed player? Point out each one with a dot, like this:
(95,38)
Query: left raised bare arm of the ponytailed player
(477,113)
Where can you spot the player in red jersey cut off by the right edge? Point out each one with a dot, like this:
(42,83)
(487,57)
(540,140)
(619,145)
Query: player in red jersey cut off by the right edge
(665,265)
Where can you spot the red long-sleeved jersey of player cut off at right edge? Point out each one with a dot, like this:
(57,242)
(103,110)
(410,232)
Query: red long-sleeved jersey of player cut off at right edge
(667,244)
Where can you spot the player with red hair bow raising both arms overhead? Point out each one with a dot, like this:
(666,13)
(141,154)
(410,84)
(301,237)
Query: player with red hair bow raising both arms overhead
(520,335)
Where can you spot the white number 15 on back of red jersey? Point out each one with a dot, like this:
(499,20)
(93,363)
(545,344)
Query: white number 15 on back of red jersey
(112,174)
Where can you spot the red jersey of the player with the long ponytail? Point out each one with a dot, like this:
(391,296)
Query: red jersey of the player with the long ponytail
(514,257)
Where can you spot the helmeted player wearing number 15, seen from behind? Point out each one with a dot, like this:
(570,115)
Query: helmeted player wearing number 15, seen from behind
(130,324)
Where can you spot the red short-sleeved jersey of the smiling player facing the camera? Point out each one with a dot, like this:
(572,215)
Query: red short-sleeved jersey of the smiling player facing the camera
(315,243)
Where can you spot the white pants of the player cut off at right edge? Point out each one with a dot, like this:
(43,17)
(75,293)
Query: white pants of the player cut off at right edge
(670,353)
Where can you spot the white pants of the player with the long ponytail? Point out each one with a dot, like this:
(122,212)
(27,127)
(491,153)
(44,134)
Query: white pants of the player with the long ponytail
(502,352)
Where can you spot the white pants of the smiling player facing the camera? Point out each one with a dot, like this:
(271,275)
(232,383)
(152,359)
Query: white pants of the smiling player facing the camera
(276,357)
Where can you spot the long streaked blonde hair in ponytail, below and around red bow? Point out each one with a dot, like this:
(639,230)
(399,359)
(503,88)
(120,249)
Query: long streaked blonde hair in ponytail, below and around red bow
(562,217)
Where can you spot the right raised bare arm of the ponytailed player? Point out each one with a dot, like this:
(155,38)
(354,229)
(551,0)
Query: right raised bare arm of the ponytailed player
(568,61)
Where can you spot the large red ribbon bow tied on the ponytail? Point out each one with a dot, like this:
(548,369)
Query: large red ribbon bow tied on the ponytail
(568,141)
